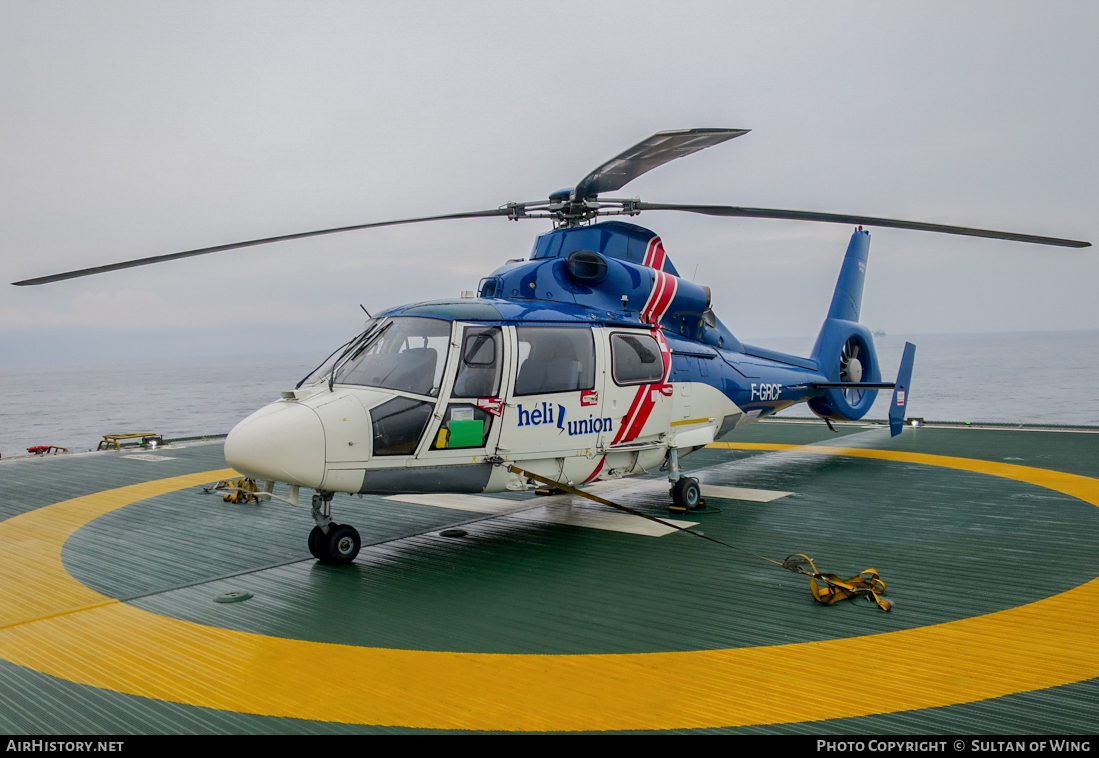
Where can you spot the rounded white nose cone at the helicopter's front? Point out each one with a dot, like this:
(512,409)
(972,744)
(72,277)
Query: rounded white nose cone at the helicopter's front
(283,442)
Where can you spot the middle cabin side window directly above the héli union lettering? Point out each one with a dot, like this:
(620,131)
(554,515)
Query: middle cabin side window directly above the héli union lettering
(556,360)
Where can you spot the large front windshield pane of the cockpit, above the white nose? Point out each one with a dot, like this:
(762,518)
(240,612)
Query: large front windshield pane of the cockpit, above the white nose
(408,354)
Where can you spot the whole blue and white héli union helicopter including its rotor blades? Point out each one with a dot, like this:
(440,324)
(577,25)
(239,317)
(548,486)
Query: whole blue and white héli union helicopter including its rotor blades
(592,360)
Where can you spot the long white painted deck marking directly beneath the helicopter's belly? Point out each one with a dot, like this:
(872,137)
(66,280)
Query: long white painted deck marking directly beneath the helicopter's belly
(553,512)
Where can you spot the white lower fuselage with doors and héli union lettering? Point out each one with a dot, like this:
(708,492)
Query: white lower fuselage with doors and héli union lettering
(574,426)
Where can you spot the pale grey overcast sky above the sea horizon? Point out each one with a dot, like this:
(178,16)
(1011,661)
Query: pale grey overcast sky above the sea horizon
(136,129)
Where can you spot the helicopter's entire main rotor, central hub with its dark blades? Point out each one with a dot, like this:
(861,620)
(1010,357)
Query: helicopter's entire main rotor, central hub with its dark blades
(582,205)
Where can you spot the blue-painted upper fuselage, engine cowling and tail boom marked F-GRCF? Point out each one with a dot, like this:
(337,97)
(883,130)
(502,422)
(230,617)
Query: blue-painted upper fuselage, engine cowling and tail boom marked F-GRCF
(542,292)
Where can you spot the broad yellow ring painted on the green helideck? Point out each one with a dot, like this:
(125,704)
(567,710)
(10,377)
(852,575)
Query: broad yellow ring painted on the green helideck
(52,623)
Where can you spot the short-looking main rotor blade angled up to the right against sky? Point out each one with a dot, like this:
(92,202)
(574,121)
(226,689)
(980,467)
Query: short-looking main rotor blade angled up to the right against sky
(649,154)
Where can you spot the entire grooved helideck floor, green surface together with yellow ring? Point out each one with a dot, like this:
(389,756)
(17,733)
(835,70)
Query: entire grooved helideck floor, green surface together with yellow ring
(960,548)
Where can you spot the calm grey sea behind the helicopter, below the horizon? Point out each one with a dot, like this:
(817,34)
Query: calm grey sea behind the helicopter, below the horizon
(1029,377)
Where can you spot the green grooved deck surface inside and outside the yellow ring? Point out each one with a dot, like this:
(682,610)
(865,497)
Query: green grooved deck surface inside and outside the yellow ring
(951,544)
